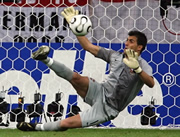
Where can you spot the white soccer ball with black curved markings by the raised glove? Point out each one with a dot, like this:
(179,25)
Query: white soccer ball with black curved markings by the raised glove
(80,25)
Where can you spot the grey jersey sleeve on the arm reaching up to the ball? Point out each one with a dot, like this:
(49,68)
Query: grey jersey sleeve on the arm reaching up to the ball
(105,54)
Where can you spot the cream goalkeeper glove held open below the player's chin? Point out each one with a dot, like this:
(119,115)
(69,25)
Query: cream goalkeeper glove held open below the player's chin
(131,60)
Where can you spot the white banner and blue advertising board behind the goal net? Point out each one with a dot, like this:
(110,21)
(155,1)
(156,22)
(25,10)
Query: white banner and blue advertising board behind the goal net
(31,23)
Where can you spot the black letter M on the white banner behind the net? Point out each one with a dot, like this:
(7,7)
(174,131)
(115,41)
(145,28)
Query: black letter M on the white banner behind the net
(37,22)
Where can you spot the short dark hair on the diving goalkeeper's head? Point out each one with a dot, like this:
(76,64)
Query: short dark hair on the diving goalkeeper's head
(141,38)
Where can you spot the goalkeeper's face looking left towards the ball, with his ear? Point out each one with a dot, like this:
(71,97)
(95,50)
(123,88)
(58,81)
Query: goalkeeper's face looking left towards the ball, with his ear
(131,43)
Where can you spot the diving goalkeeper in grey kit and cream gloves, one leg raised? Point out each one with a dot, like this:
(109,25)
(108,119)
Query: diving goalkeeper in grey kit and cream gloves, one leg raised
(128,73)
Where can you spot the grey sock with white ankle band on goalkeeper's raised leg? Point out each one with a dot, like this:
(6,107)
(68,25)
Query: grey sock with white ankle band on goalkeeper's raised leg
(59,68)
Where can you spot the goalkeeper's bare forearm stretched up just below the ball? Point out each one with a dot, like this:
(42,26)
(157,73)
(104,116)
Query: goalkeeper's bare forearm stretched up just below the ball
(88,46)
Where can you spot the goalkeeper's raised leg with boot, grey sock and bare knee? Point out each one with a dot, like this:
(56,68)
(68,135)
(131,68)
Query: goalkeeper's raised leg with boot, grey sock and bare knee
(79,82)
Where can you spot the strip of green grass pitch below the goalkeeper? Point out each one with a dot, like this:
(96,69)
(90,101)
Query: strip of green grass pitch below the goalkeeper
(93,133)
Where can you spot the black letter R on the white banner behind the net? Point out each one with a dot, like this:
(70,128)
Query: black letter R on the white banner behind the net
(20,21)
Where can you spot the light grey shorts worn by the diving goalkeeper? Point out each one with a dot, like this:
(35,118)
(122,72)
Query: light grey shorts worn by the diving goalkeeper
(99,112)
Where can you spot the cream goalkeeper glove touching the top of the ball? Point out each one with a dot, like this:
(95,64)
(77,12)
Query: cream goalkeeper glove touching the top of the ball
(69,13)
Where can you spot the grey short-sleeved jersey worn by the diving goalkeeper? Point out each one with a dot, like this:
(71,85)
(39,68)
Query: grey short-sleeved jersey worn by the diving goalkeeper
(122,85)
